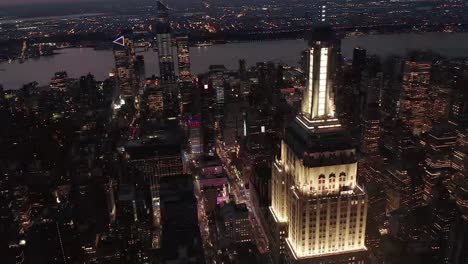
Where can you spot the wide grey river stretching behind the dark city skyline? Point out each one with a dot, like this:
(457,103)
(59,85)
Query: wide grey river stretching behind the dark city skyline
(80,61)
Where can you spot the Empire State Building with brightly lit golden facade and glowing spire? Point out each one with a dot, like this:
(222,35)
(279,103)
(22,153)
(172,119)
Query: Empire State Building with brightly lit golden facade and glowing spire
(318,210)
